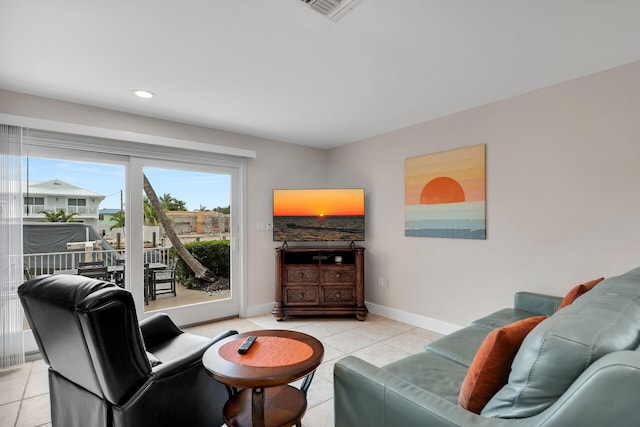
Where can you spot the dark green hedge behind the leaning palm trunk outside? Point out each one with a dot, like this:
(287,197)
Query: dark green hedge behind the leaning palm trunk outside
(213,254)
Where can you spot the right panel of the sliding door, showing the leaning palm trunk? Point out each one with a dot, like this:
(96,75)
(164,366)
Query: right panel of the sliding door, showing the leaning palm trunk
(187,227)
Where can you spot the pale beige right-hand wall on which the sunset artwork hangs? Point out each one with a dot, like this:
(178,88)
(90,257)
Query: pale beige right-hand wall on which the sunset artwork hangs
(563,200)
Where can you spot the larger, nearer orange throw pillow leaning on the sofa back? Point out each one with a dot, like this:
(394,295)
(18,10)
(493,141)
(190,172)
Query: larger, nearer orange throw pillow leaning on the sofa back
(490,368)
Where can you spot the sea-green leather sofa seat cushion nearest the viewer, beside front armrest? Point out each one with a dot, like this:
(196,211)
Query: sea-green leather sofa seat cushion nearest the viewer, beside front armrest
(431,372)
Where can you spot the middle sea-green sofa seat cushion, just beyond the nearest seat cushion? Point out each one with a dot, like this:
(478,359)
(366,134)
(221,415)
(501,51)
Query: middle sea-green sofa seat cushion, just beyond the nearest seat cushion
(460,346)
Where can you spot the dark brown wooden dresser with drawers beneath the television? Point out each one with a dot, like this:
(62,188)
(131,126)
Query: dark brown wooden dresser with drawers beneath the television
(320,281)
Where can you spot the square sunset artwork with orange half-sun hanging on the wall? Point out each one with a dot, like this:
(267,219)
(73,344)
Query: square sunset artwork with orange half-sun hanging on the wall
(445,194)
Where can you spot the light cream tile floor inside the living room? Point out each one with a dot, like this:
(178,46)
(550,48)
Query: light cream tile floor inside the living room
(24,392)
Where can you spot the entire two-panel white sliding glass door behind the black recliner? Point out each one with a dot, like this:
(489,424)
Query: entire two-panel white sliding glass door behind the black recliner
(89,187)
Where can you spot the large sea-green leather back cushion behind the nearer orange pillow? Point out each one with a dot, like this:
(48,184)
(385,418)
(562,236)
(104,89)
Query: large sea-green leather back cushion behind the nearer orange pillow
(554,354)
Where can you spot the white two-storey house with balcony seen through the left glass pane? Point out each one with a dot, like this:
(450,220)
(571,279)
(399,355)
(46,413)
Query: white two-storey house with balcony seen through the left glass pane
(56,195)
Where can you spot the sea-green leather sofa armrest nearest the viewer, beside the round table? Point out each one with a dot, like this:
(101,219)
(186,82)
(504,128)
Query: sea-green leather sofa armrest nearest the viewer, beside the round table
(368,396)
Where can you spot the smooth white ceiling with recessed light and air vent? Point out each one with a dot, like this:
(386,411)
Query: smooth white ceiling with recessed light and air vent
(277,69)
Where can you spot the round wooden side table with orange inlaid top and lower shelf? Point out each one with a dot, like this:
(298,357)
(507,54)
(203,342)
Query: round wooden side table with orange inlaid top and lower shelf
(277,358)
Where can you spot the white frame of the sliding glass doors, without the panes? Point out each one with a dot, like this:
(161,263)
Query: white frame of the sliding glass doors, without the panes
(235,167)
